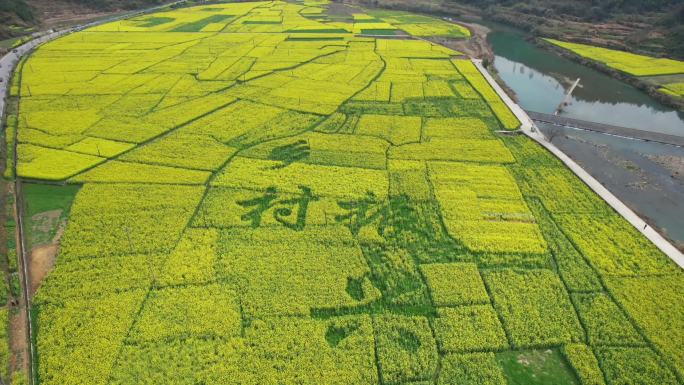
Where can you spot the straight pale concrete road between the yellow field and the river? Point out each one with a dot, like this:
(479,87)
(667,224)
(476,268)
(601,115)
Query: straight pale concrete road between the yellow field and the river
(529,129)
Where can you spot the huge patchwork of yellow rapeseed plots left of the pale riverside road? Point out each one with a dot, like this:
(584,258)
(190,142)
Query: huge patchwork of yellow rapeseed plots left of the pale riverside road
(268,197)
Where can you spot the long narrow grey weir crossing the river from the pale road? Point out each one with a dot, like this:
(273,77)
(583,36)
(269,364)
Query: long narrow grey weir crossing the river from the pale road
(607,129)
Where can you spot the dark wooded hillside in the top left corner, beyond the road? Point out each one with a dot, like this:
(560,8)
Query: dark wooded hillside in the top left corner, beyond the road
(17,17)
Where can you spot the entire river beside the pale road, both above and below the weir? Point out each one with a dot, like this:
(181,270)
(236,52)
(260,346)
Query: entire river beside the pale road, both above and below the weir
(648,177)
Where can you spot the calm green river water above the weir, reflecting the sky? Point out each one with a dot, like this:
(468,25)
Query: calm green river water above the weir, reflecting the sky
(541,78)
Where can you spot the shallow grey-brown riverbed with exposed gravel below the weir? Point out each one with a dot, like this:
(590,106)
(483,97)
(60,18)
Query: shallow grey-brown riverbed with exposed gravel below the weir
(647,177)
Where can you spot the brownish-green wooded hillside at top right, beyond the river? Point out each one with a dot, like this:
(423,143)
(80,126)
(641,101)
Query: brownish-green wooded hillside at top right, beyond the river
(654,27)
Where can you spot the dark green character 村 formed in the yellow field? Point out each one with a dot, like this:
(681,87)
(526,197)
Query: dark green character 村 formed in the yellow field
(290,212)
